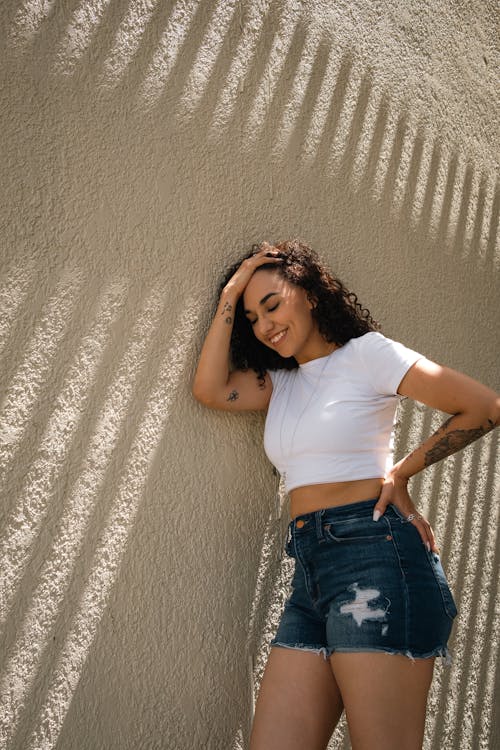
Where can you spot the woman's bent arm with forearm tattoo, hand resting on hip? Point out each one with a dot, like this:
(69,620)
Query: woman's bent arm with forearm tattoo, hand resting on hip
(475,410)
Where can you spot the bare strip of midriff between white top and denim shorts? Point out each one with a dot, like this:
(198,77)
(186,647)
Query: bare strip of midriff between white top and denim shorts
(318,496)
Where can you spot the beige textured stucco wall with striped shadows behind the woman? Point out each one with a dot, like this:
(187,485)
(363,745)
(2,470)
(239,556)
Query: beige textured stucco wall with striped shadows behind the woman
(145,145)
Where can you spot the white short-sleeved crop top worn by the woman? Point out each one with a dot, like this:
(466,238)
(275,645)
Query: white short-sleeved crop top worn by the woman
(332,418)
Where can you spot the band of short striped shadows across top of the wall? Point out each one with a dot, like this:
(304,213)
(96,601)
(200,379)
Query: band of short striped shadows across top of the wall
(174,57)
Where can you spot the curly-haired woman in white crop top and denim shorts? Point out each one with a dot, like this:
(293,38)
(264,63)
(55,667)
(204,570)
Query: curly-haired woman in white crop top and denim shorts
(370,608)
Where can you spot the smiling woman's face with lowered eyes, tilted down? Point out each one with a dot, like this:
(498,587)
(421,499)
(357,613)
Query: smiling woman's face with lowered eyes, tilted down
(280,315)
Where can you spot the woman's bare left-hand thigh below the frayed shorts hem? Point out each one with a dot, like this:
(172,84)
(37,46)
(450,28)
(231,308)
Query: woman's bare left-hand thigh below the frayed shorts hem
(299,703)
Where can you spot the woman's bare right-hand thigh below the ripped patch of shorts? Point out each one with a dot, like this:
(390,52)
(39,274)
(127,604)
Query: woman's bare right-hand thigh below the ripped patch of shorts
(385,698)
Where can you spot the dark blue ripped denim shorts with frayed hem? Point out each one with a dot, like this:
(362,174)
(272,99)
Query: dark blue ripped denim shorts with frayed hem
(364,585)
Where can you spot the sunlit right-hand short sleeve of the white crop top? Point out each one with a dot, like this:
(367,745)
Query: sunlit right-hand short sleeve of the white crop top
(386,361)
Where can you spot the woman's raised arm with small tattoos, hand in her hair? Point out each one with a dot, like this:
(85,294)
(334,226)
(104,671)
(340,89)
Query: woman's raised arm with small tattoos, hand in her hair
(214,385)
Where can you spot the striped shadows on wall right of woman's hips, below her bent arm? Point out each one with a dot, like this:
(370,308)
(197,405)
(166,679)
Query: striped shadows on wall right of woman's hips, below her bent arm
(460,498)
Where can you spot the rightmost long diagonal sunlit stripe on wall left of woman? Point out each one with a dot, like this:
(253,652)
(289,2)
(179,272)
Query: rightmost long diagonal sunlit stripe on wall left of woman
(115,532)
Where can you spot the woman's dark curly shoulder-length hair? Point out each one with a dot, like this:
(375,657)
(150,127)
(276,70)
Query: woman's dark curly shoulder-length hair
(339,315)
